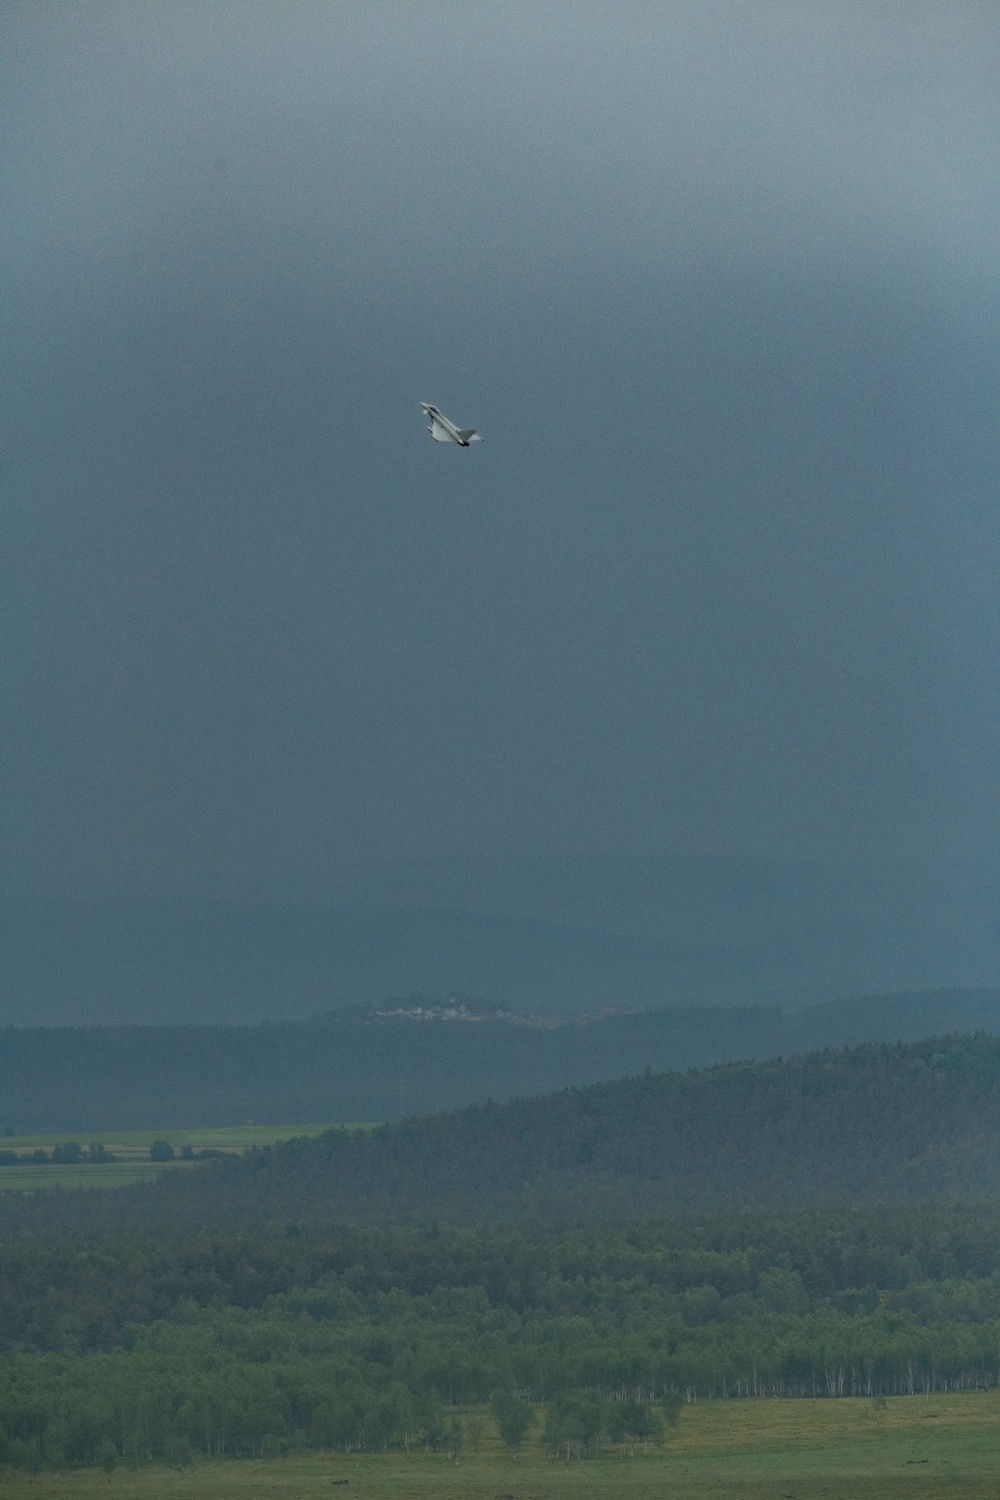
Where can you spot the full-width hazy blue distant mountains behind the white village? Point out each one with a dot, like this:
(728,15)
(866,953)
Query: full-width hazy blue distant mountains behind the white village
(567,935)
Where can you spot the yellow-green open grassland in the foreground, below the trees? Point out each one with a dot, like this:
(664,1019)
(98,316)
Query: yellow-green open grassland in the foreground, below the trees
(915,1447)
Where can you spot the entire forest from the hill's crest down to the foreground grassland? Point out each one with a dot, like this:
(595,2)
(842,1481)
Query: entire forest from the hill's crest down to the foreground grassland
(578,1268)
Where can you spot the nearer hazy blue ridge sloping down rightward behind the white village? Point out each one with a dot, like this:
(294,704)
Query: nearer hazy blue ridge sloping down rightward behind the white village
(167,962)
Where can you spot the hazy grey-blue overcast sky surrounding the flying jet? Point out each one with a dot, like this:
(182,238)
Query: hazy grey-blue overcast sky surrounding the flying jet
(717,283)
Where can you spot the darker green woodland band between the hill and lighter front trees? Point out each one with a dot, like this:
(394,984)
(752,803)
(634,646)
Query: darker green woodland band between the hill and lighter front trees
(86,1291)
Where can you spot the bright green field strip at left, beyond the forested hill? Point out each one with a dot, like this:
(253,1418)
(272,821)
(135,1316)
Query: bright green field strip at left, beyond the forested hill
(131,1151)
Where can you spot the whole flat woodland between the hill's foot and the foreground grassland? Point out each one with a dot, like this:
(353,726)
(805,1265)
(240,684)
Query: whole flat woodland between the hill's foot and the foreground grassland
(142,1343)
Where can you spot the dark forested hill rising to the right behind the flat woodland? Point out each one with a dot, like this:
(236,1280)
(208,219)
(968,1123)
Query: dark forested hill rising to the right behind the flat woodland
(872,1123)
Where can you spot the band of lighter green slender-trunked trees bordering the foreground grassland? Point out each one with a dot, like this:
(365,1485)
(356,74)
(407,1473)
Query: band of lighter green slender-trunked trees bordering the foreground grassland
(251,1384)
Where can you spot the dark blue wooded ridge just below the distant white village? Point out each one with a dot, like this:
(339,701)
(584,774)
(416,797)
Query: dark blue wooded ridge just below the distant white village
(362,1066)
